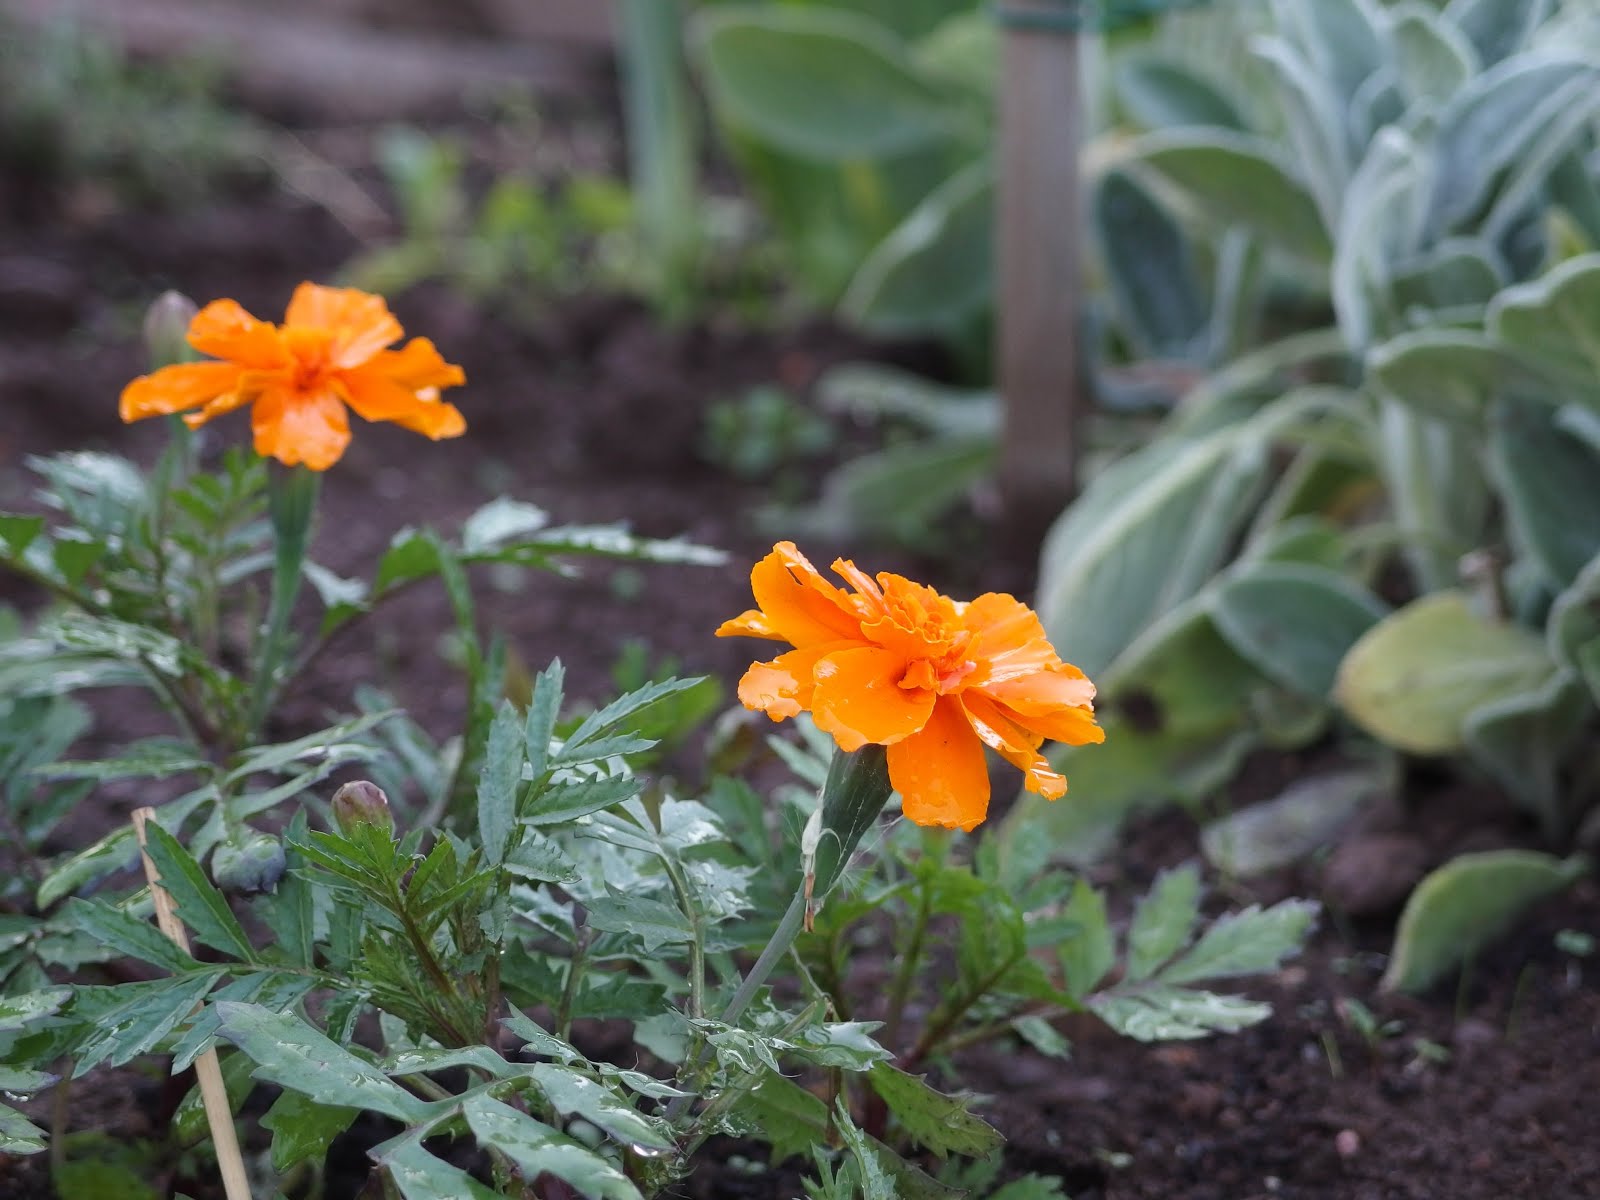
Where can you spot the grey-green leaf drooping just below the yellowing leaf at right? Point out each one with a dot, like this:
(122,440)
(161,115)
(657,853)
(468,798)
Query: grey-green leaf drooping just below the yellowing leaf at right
(1522,742)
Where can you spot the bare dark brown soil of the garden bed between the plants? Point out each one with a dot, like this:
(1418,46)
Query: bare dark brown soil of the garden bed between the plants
(1482,1092)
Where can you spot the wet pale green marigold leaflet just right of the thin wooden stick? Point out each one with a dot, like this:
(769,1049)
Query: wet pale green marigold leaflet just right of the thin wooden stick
(294,1055)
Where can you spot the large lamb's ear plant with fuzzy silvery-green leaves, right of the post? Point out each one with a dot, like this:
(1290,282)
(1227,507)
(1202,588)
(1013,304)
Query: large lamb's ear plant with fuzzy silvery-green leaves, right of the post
(1438,190)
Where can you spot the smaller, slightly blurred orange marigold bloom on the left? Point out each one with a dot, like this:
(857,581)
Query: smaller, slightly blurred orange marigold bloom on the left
(300,377)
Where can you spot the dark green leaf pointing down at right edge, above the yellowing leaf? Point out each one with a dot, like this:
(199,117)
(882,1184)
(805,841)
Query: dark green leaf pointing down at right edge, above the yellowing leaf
(1550,484)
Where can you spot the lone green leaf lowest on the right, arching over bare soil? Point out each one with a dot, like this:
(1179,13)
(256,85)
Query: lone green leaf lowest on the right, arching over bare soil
(1465,906)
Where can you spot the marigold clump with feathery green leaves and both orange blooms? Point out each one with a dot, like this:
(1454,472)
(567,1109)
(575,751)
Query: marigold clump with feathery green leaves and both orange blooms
(441,961)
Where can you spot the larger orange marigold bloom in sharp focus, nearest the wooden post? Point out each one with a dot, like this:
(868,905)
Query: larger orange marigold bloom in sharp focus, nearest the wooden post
(934,679)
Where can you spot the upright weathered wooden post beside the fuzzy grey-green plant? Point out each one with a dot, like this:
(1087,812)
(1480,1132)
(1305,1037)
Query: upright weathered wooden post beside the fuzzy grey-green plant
(1039,228)
